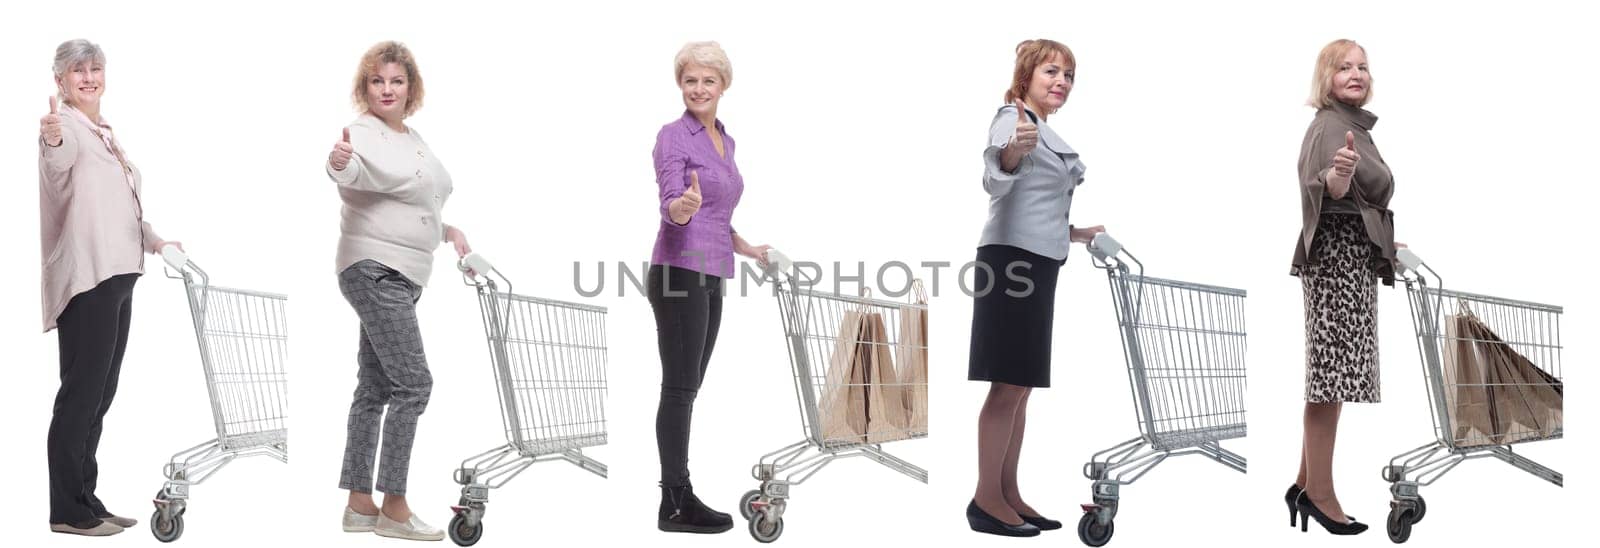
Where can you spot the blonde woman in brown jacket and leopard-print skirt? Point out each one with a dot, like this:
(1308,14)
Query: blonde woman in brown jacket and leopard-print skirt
(1345,249)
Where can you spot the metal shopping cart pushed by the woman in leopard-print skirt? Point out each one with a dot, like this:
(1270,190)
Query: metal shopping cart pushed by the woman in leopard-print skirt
(1527,331)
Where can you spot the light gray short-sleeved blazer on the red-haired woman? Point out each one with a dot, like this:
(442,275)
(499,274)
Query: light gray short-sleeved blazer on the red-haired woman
(1033,208)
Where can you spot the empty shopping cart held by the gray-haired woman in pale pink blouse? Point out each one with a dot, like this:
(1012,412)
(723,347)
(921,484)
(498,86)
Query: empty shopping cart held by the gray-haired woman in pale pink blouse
(244,349)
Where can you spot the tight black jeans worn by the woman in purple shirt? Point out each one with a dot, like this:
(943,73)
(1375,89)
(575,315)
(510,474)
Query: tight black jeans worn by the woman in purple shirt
(689,313)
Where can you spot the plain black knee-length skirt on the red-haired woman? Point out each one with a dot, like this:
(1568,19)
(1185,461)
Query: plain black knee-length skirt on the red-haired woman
(1012,321)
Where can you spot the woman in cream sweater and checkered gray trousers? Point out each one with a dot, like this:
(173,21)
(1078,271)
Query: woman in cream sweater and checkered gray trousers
(394,191)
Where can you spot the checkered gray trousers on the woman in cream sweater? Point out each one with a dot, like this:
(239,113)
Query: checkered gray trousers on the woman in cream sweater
(393,373)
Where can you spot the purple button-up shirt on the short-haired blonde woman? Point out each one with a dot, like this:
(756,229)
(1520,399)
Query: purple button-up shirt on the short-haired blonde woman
(705,244)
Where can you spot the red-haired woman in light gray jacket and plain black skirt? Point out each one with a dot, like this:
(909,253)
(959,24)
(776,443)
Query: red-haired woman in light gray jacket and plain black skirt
(1020,256)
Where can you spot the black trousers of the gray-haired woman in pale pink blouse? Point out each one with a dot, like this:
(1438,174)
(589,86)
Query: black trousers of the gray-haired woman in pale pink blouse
(92,334)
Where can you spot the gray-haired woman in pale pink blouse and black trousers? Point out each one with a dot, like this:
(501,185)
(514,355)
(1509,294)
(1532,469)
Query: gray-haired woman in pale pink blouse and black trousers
(94,243)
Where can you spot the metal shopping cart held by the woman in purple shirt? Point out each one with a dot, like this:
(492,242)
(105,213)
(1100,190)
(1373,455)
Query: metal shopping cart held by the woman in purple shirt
(812,329)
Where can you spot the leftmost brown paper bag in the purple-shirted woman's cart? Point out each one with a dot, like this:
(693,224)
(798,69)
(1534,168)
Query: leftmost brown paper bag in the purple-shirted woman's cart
(842,406)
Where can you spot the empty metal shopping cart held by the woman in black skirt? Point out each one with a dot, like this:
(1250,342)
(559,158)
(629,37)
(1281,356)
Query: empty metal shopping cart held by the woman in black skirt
(1185,345)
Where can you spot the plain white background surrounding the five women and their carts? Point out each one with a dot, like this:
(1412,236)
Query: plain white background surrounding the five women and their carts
(860,131)
